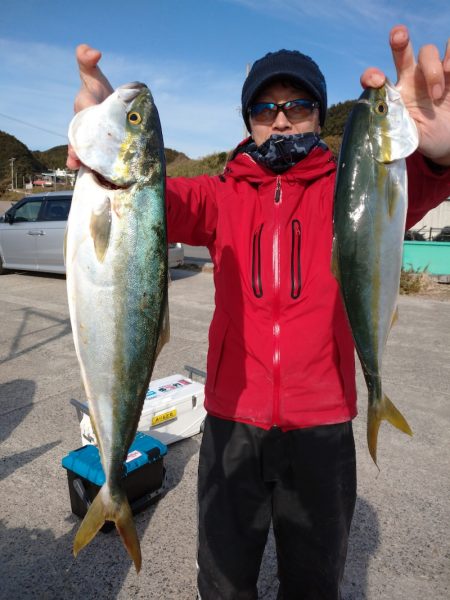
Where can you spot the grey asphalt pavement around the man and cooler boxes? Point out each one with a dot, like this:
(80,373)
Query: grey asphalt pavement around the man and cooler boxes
(400,542)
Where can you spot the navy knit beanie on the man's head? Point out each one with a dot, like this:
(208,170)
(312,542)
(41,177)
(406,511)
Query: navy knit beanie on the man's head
(288,64)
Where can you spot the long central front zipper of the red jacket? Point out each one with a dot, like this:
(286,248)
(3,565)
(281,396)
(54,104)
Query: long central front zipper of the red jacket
(276,305)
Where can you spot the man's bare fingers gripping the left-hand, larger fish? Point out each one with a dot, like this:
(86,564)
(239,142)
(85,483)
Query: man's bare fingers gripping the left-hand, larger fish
(94,88)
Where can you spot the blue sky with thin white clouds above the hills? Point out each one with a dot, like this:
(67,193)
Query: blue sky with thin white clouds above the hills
(192,54)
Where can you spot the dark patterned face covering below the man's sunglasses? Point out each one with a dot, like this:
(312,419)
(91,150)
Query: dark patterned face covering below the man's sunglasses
(280,152)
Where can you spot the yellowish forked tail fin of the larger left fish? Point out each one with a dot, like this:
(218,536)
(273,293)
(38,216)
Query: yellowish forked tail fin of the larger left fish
(105,508)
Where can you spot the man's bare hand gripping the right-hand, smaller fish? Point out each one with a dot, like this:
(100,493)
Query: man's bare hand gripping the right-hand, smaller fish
(425,88)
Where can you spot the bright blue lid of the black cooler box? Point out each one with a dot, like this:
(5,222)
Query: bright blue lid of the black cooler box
(86,462)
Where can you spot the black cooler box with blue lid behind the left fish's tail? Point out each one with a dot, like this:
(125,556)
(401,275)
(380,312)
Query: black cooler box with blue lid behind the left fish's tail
(142,481)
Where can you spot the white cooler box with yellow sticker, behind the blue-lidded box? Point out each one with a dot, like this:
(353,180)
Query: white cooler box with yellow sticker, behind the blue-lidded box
(173,410)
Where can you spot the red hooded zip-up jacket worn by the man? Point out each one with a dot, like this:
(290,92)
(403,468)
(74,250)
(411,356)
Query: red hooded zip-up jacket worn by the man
(280,348)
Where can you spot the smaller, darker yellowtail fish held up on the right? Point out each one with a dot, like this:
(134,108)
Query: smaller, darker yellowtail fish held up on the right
(369,222)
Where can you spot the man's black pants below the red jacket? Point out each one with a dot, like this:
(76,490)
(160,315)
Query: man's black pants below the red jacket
(304,481)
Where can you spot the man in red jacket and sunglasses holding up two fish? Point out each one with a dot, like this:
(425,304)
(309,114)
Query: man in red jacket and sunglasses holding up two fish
(280,392)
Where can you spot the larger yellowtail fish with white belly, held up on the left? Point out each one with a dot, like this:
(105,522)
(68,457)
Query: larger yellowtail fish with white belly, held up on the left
(116,261)
